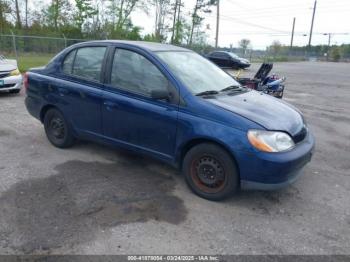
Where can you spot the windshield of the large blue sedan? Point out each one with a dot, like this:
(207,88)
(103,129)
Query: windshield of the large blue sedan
(196,72)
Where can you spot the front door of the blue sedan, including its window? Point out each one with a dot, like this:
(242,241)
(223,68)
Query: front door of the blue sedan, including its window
(130,115)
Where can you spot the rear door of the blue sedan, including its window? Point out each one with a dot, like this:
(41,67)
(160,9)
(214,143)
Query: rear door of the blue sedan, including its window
(80,86)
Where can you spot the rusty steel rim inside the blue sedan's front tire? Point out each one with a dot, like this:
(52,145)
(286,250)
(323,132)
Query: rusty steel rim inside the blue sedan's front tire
(208,174)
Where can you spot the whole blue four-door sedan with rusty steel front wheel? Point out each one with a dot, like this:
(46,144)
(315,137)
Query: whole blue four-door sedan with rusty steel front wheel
(172,104)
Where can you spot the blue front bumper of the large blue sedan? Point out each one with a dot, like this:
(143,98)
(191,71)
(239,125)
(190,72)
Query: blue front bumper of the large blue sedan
(270,171)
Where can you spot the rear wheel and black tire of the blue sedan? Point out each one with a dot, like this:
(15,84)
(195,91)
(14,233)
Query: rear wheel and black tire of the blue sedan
(57,129)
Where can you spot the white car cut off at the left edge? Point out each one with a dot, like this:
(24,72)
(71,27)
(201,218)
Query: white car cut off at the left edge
(10,76)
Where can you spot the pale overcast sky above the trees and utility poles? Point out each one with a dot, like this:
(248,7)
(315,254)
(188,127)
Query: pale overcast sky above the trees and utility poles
(263,21)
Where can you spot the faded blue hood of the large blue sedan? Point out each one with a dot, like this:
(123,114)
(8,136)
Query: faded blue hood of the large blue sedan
(267,111)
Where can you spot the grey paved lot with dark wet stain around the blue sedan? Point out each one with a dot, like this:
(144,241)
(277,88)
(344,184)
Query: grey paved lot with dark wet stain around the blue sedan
(96,200)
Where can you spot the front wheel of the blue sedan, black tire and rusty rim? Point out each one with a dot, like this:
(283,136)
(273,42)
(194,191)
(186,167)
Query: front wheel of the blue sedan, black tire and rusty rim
(210,172)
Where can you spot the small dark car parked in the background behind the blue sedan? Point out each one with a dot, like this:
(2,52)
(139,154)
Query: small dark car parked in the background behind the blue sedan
(228,60)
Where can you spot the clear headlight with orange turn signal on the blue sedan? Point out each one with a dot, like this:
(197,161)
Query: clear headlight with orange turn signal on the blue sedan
(270,141)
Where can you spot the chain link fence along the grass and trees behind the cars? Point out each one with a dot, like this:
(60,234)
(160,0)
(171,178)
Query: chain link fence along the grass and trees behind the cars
(32,51)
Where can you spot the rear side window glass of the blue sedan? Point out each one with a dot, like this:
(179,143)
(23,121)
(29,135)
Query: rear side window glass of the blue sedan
(87,63)
